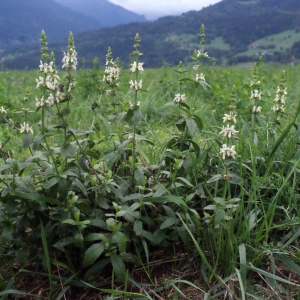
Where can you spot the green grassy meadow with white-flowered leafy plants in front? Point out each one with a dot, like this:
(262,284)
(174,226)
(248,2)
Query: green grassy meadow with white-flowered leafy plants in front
(122,182)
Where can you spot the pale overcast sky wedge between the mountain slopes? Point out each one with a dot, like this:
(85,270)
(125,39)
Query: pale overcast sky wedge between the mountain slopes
(157,8)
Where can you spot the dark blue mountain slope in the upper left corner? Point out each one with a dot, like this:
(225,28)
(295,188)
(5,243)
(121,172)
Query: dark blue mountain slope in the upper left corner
(21,22)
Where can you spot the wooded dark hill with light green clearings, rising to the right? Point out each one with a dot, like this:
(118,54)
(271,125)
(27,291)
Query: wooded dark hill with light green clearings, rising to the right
(231,26)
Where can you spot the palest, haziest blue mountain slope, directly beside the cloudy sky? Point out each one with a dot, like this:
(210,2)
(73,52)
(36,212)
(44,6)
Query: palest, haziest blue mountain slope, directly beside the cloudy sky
(107,13)
